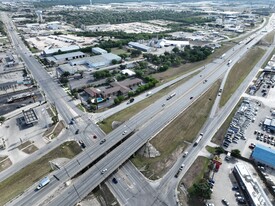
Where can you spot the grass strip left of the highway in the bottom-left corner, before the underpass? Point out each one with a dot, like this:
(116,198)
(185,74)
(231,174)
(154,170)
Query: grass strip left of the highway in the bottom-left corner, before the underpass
(23,179)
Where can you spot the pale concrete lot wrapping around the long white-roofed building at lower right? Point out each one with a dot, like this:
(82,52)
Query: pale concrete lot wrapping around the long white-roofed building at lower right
(225,181)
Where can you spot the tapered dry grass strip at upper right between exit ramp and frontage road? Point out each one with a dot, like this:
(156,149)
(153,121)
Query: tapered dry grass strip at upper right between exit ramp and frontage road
(239,72)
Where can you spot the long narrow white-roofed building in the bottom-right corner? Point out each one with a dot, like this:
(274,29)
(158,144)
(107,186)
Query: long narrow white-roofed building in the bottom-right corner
(250,187)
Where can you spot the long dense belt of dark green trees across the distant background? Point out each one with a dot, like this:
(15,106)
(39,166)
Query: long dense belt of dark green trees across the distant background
(79,18)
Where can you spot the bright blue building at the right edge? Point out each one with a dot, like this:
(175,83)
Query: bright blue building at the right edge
(264,155)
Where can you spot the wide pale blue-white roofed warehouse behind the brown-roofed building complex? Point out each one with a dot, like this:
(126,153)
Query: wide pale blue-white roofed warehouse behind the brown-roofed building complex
(97,61)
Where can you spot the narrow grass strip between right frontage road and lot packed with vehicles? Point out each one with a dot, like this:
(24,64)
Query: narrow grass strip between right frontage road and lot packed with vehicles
(219,135)
